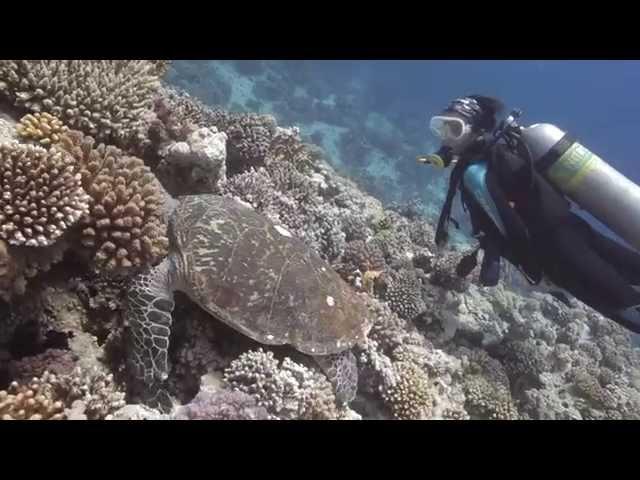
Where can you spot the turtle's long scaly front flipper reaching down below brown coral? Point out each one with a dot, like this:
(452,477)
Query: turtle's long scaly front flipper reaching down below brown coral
(148,315)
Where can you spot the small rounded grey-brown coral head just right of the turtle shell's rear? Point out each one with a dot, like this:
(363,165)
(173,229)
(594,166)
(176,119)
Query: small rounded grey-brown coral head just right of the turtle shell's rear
(403,293)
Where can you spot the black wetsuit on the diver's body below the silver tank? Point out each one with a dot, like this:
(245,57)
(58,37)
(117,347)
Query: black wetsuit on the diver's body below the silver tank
(546,237)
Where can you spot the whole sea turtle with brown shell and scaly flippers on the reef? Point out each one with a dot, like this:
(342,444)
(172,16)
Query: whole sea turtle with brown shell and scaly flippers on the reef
(254,276)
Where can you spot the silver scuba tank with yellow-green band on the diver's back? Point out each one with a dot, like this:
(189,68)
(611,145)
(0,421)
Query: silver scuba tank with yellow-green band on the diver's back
(585,178)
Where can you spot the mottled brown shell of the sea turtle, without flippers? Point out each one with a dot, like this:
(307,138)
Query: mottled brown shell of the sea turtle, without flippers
(259,279)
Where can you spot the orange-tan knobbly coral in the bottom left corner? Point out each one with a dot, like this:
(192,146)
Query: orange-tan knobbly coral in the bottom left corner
(33,401)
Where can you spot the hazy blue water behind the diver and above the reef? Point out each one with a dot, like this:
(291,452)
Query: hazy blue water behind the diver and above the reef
(596,101)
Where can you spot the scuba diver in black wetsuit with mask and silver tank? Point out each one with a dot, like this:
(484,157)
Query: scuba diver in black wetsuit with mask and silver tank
(518,185)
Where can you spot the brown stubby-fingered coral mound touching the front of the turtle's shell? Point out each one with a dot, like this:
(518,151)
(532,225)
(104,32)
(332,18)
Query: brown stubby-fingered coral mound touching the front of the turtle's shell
(125,224)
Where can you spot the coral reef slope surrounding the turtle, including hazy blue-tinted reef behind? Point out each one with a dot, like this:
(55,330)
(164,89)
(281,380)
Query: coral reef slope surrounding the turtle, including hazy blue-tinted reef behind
(441,347)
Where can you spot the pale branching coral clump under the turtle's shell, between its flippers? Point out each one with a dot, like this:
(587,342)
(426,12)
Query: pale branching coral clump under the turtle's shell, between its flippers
(287,390)
